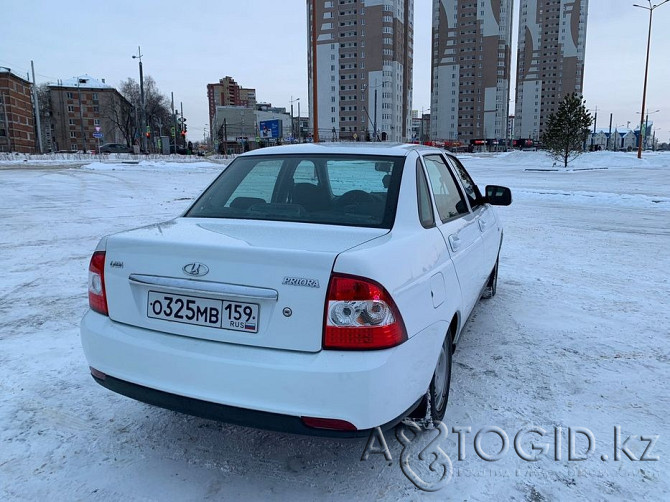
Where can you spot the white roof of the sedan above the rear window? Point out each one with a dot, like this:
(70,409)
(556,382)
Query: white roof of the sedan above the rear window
(344,148)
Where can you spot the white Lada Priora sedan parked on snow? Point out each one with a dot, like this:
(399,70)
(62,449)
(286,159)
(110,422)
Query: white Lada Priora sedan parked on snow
(315,289)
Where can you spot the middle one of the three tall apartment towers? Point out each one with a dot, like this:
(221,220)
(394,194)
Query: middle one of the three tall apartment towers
(470,69)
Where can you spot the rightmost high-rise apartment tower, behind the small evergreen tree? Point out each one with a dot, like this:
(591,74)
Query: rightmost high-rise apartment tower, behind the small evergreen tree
(552,41)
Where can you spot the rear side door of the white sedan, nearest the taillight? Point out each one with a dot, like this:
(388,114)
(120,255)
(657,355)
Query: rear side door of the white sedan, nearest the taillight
(459,228)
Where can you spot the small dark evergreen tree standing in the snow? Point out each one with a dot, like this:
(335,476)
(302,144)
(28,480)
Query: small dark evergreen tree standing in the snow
(566,130)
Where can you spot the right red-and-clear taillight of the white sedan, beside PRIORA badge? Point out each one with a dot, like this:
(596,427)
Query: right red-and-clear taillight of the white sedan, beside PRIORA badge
(361,315)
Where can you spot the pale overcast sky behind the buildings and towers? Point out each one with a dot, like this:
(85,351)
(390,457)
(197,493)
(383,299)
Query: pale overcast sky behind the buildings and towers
(262,44)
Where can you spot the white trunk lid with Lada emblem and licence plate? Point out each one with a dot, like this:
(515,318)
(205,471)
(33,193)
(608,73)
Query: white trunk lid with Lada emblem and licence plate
(237,281)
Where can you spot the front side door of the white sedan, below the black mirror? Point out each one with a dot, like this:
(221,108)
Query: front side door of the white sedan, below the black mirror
(486,218)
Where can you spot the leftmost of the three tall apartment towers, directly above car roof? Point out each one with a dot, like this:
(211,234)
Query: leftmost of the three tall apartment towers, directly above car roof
(363,67)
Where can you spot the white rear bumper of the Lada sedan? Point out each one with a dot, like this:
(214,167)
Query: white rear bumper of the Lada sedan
(260,387)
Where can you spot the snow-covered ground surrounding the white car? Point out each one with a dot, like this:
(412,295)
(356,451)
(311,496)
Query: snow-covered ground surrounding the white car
(578,336)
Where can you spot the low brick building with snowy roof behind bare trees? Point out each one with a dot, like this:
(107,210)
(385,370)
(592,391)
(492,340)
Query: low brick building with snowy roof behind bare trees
(80,105)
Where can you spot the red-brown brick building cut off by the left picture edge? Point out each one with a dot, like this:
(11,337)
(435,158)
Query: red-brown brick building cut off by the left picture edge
(17,120)
